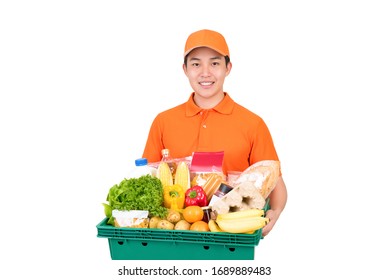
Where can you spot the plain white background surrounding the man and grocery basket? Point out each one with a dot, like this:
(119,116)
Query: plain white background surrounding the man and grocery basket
(81,81)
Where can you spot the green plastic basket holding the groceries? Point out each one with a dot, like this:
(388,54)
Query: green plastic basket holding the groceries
(158,244)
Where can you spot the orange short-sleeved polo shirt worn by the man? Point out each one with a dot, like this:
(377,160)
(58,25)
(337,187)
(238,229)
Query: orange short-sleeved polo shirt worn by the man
(229,127)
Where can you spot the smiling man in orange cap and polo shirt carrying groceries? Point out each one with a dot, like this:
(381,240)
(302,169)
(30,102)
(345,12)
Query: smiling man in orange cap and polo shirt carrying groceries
(210,121)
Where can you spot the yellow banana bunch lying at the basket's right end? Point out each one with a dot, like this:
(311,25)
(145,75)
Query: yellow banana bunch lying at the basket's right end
(244,221)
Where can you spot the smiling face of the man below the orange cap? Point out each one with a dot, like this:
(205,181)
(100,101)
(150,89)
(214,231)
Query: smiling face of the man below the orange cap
(206,70)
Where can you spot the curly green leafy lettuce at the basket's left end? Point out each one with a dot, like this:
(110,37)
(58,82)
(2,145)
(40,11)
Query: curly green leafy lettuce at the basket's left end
(143,193)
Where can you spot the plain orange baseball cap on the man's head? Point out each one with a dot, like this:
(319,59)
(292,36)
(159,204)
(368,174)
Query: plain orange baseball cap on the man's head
(207,38)
